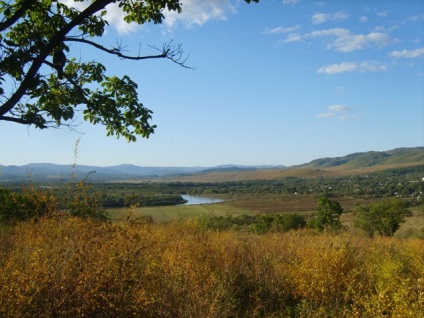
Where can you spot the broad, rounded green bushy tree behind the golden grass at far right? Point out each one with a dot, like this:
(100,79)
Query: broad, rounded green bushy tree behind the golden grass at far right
(383,218)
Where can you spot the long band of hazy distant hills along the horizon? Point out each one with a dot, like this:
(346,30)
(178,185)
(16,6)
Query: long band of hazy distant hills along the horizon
(352,163)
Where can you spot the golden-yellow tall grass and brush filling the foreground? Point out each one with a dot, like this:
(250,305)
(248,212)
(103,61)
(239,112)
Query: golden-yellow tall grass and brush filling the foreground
(72,267)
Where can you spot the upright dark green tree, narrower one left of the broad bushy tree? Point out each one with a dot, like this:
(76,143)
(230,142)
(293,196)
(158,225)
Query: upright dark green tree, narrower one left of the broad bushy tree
(328,215)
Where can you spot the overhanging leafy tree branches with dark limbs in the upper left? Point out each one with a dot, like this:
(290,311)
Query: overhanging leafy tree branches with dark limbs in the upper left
(48,85)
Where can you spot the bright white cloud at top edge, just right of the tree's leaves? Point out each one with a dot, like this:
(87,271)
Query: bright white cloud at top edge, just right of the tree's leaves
(198,12)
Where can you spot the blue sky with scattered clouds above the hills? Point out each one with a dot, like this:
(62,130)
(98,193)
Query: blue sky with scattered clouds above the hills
(279,82)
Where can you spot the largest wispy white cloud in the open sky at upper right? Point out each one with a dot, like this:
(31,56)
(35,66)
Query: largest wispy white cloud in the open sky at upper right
(345,41)
